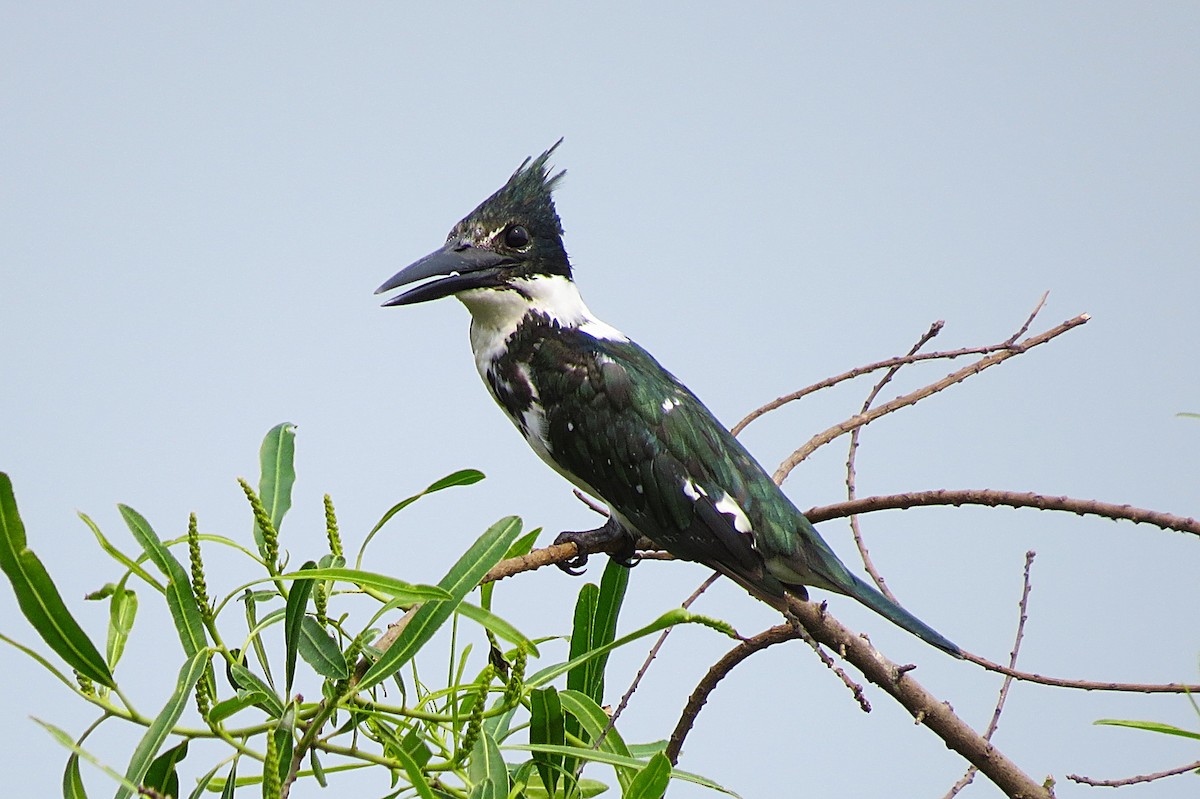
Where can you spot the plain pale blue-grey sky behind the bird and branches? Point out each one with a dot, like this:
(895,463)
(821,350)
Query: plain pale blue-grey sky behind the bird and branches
(199,201)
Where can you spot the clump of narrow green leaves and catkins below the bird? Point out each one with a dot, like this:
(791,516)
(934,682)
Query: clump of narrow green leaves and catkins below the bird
(490,732)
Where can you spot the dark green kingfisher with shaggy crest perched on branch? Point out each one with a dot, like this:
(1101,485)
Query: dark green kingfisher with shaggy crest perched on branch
(604,414)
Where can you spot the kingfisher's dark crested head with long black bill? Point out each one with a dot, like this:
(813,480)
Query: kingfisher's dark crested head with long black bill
(514,236)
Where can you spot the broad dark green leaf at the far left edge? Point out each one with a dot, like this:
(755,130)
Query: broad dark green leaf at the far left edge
(40,600)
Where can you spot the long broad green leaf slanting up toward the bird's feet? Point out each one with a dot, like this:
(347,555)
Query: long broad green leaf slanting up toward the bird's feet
(463,578)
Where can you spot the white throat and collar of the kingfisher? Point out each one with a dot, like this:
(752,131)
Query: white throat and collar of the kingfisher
(496,314)
